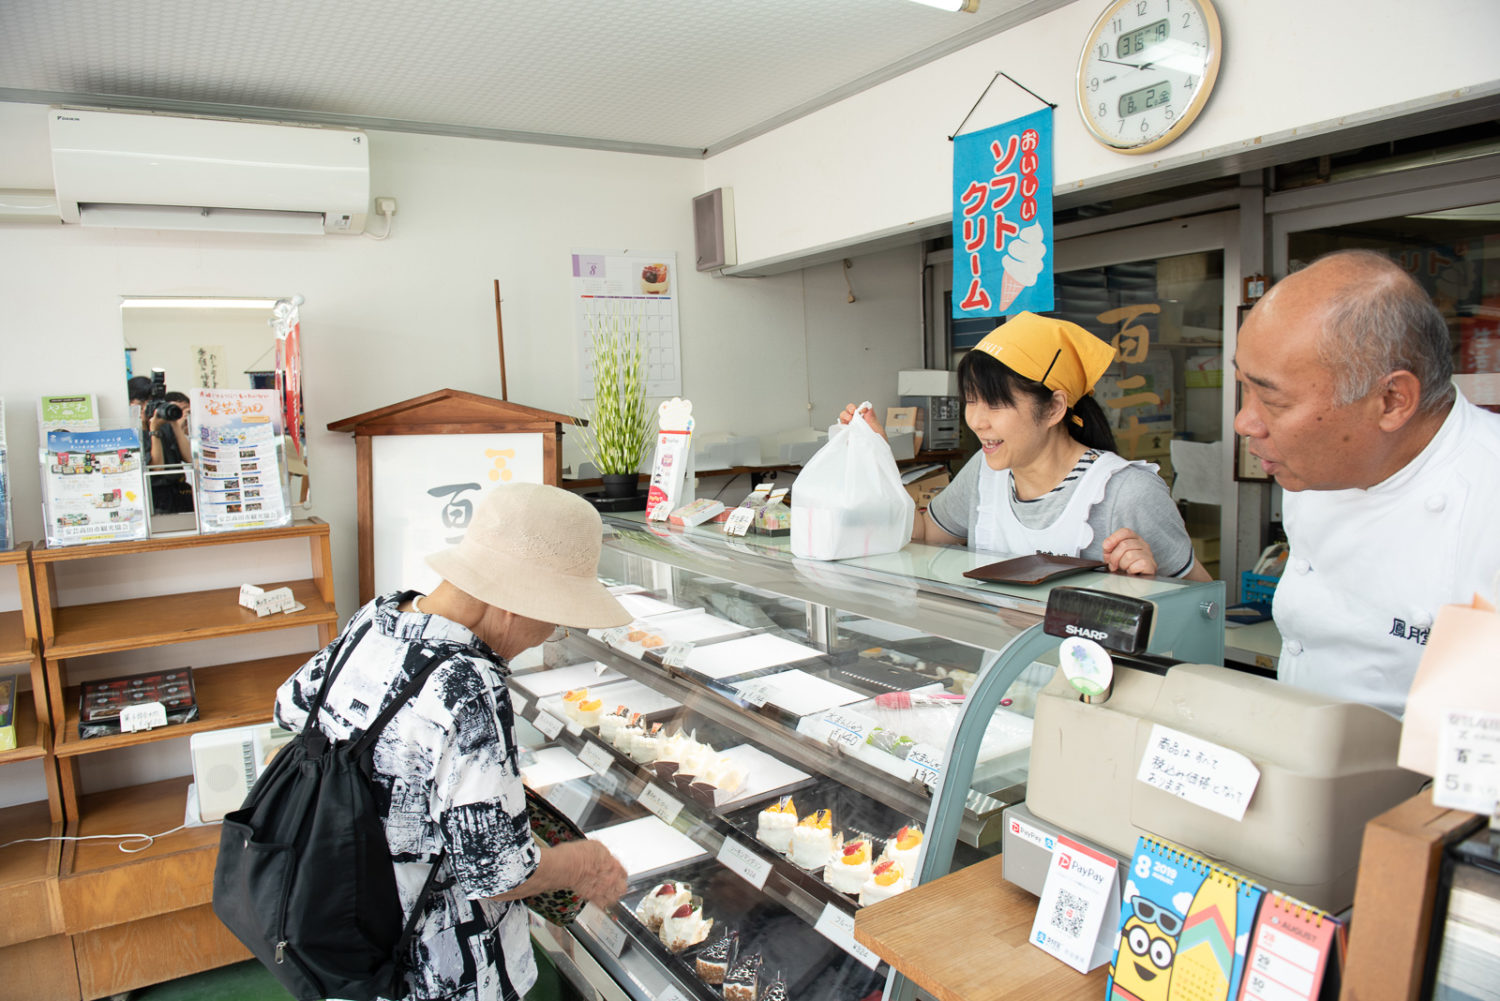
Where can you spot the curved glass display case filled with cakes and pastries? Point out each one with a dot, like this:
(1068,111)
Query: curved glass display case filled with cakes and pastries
(775,744)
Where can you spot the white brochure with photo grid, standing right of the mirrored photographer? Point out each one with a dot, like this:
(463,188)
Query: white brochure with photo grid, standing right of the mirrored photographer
(242,470)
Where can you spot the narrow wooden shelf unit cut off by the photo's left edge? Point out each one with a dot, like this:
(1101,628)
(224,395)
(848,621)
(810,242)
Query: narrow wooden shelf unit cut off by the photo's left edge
(32,936)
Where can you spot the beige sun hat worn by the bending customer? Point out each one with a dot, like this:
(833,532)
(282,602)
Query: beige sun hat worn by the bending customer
(533,550)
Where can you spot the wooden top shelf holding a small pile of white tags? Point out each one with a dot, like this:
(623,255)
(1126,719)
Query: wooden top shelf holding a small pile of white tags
(172,619)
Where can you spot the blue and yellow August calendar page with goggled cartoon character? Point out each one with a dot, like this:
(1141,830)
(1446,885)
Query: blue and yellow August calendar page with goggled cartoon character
(1184,928)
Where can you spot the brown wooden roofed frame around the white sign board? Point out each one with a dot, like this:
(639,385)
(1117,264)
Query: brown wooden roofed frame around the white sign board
(440,413)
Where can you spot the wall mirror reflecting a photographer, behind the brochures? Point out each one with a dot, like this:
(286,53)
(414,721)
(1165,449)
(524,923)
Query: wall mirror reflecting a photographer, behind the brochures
(212,343)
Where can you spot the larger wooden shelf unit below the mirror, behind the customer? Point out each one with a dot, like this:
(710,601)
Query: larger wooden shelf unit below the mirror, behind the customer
(139,919)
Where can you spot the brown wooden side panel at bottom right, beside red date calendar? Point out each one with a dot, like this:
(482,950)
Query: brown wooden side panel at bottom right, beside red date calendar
(1399,868)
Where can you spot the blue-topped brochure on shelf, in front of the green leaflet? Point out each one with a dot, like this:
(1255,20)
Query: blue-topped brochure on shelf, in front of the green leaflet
(92,487)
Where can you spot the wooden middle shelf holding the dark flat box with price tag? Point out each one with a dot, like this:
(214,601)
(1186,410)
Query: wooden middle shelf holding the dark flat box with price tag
(229,696)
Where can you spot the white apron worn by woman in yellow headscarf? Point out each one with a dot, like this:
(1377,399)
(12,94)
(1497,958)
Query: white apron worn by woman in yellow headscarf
(998,531)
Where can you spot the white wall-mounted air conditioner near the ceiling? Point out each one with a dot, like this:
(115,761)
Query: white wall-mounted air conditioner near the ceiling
(157,172)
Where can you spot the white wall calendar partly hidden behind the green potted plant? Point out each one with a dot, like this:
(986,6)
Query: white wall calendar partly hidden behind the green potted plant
(635,290)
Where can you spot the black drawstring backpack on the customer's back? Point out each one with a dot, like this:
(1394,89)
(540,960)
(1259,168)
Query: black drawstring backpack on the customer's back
(305,876)
